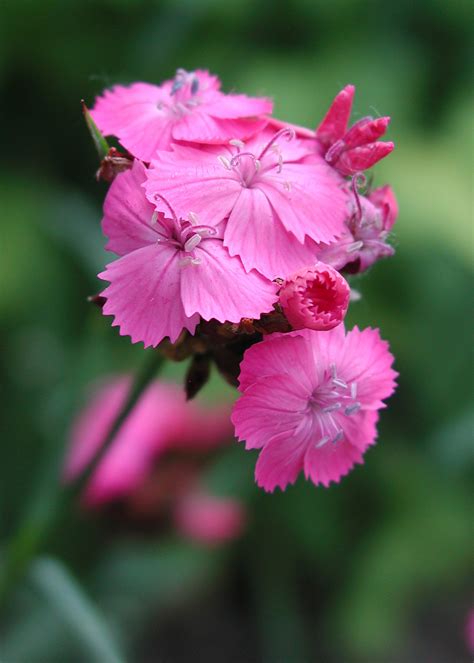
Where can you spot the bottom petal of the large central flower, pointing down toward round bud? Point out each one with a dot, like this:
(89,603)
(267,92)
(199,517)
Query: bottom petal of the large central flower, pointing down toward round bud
(255,233)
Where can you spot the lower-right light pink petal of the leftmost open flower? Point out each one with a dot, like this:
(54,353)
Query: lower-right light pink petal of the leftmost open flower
(220,288)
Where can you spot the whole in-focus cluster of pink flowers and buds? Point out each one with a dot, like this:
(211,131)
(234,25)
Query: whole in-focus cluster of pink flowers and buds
(233,232)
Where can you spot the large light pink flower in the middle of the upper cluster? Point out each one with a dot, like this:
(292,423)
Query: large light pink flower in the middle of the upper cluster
(276,202)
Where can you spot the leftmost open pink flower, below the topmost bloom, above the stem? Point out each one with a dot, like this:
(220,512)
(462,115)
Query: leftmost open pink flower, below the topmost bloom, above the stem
(172,271)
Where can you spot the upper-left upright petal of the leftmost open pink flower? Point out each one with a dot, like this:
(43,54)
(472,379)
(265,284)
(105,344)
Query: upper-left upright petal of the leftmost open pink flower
(127,213)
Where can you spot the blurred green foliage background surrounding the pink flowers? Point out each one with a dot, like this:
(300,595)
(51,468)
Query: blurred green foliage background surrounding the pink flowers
(375,569)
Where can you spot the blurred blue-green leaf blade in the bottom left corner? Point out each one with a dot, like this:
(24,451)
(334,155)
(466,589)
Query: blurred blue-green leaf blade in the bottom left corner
(75,609)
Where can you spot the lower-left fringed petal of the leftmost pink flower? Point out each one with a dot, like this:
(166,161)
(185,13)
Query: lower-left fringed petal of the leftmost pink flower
(144,295)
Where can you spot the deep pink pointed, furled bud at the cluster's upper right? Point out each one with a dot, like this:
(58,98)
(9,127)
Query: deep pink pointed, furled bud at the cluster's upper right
(351,150)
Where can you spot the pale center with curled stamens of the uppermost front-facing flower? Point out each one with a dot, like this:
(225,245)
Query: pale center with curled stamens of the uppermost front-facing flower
(249,167)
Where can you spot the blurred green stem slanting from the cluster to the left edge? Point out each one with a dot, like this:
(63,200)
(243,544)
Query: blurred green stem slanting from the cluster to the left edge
(46,513)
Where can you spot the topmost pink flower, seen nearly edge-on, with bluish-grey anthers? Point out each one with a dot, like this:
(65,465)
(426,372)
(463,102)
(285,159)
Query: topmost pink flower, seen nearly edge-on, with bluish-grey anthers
(146,118)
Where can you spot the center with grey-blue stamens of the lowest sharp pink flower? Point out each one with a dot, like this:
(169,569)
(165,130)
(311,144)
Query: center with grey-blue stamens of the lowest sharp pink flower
(333,395)
